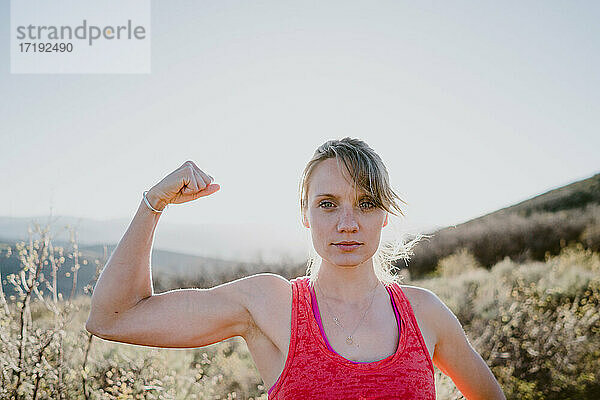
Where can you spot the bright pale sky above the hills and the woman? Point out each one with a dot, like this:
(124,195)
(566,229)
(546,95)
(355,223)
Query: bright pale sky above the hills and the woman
(473,106)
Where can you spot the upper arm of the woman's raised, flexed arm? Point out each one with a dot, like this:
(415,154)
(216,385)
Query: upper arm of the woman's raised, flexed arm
(189,317)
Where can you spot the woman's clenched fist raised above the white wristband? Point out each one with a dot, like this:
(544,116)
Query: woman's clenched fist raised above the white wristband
(186,183)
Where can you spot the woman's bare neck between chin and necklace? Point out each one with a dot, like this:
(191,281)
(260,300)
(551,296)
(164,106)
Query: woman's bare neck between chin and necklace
(349,285)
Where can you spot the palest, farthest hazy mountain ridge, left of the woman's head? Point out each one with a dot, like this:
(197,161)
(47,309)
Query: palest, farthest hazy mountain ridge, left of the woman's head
(245,242)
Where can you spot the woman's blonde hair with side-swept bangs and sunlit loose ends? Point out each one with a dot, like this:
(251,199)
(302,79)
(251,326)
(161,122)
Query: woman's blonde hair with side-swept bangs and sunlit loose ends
(368,173)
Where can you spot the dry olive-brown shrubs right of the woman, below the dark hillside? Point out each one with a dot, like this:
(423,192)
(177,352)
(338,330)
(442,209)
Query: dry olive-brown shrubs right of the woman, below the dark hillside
(537,325)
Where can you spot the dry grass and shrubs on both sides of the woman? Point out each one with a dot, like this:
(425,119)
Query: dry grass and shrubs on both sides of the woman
(536,324)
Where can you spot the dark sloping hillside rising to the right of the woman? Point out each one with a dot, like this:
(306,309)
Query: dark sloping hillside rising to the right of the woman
(530,230)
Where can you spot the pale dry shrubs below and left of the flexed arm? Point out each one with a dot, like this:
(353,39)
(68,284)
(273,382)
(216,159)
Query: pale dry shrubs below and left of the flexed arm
(45,351)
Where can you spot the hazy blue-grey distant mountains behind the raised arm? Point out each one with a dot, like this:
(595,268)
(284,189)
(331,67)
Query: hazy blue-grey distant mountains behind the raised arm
(178,250)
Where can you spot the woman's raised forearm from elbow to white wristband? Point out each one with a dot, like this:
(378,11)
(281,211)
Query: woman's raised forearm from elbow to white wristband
(127,276)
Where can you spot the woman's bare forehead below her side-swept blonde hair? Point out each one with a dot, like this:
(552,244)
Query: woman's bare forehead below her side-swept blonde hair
(327,177)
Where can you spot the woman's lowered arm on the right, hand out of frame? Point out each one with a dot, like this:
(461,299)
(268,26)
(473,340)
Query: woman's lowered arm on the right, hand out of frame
(455,356)
